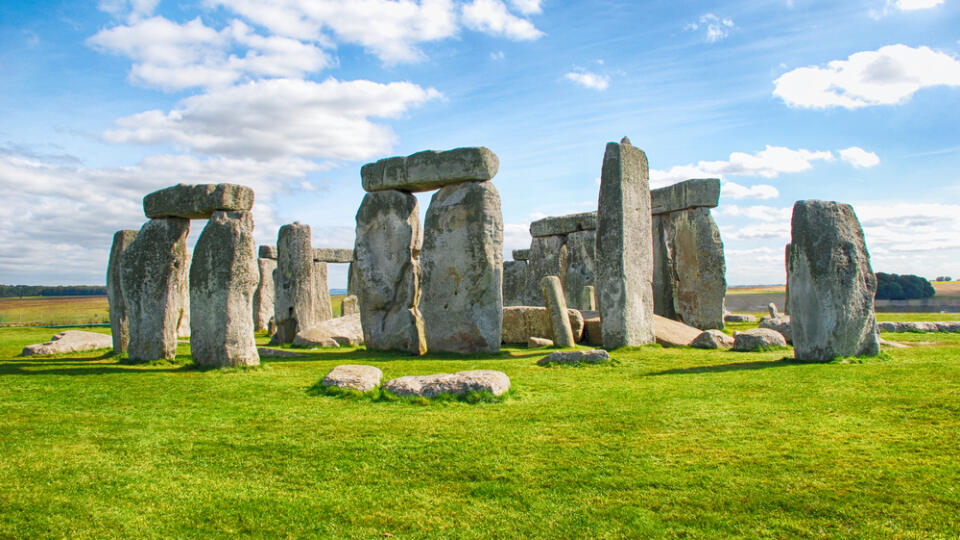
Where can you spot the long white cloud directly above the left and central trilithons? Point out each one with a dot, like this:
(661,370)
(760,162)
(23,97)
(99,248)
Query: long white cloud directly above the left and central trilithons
(272,118)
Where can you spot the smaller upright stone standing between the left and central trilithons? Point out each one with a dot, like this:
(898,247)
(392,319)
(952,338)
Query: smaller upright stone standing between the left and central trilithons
(295,305)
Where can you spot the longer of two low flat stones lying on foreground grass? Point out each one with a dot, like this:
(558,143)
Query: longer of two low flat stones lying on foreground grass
(457,384)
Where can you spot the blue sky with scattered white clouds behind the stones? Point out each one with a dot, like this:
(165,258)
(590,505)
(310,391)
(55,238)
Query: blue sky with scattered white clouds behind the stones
(783,100)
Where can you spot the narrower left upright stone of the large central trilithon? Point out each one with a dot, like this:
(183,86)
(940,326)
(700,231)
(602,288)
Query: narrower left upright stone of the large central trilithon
(387,271)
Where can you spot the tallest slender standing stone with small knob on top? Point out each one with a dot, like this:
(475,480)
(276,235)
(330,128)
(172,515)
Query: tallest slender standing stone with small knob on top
(624,248)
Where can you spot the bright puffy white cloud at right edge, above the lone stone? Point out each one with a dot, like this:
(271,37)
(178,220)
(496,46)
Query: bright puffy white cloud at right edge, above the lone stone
(887,76)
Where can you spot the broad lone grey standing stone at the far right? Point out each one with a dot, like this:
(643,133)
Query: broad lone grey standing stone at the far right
(832,285)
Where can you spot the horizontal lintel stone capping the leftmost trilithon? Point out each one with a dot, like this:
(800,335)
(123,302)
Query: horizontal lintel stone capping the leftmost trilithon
(197,201)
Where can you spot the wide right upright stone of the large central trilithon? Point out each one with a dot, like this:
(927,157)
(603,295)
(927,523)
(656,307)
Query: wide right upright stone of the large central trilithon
(462,260)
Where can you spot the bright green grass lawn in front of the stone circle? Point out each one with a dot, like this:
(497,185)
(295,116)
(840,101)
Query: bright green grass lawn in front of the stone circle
(666,443)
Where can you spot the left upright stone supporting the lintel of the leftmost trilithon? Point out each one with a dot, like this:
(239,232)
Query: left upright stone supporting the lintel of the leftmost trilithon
(152,271)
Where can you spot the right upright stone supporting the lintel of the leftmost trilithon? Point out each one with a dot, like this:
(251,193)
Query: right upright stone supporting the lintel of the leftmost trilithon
(223,278)
